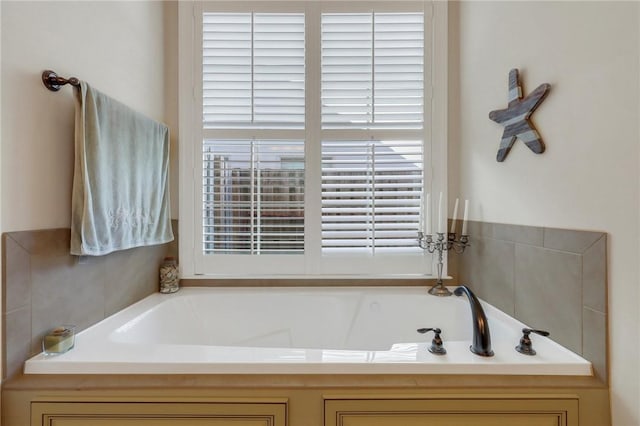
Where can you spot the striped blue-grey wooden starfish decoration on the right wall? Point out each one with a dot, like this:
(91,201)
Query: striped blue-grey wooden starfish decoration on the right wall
(515,118)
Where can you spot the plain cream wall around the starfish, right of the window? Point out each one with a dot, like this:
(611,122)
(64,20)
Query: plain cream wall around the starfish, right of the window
(588,178)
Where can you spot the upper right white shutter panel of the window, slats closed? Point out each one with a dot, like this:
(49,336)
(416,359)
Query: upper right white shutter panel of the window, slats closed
(372,70)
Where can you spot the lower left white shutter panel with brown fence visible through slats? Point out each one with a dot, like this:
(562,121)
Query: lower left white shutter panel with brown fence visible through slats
(253,197)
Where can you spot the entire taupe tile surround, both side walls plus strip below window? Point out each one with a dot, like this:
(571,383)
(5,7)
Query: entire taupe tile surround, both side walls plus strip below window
(548,278)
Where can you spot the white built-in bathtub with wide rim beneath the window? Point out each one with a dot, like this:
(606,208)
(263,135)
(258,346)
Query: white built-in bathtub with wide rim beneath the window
(302,330)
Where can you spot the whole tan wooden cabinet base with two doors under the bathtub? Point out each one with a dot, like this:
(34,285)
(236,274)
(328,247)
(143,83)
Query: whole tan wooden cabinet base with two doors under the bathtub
(304,401)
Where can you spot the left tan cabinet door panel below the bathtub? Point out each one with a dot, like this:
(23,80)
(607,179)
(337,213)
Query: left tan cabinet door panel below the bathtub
(156,413)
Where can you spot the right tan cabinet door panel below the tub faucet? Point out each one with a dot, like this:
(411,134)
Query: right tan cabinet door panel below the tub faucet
(479,411)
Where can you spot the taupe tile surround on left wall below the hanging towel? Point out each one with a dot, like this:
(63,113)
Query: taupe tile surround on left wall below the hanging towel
(44,286)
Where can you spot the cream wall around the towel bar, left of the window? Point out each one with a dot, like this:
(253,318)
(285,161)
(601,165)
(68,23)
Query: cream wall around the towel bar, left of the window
(117,46)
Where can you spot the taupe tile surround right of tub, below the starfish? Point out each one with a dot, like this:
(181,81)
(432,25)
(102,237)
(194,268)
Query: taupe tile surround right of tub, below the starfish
(550,279)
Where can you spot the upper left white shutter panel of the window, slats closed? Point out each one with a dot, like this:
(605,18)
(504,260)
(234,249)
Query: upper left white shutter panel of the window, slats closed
(253,70)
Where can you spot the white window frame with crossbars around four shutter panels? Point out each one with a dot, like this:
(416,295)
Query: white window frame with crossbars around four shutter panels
(434,133)
